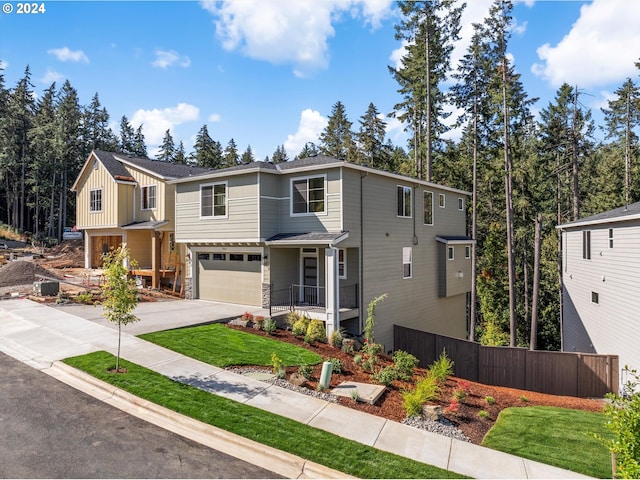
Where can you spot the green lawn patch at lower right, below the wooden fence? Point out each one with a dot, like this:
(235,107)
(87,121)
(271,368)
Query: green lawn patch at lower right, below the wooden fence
(555,436)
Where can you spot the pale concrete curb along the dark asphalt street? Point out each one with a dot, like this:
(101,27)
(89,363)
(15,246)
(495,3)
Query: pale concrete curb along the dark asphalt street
(277,461)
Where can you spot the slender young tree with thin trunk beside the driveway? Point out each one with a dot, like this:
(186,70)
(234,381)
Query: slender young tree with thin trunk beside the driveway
(120,293)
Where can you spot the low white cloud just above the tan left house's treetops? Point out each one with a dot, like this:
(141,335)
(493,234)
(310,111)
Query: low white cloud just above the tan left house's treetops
(157,121)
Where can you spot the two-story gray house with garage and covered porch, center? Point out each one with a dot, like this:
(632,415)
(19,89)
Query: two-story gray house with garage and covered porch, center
(325,236)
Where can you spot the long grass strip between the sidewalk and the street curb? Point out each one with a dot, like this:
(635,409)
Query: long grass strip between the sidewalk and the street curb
(269,429)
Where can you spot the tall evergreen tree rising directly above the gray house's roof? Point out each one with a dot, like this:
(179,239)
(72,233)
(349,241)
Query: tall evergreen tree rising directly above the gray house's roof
(430,29)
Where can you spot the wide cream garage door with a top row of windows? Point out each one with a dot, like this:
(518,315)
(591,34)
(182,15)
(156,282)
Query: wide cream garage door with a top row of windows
(230,278)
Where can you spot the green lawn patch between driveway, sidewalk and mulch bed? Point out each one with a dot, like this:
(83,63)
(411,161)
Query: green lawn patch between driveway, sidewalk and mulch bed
(222,346)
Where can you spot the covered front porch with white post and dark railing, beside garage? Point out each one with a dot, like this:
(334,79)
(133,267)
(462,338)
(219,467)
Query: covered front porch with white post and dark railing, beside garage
(312,274)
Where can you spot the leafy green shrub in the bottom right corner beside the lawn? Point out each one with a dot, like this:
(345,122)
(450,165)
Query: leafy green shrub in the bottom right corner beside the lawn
(623,414)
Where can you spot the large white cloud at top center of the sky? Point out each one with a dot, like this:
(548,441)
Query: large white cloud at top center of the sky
(288,31)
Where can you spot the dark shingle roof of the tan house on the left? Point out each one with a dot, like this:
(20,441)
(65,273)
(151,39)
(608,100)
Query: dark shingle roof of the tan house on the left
(115,165)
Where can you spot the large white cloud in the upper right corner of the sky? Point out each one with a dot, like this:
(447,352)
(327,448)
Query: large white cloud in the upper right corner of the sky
(601,47)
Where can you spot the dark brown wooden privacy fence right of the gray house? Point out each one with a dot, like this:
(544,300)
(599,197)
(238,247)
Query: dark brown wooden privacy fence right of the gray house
(558,373)
